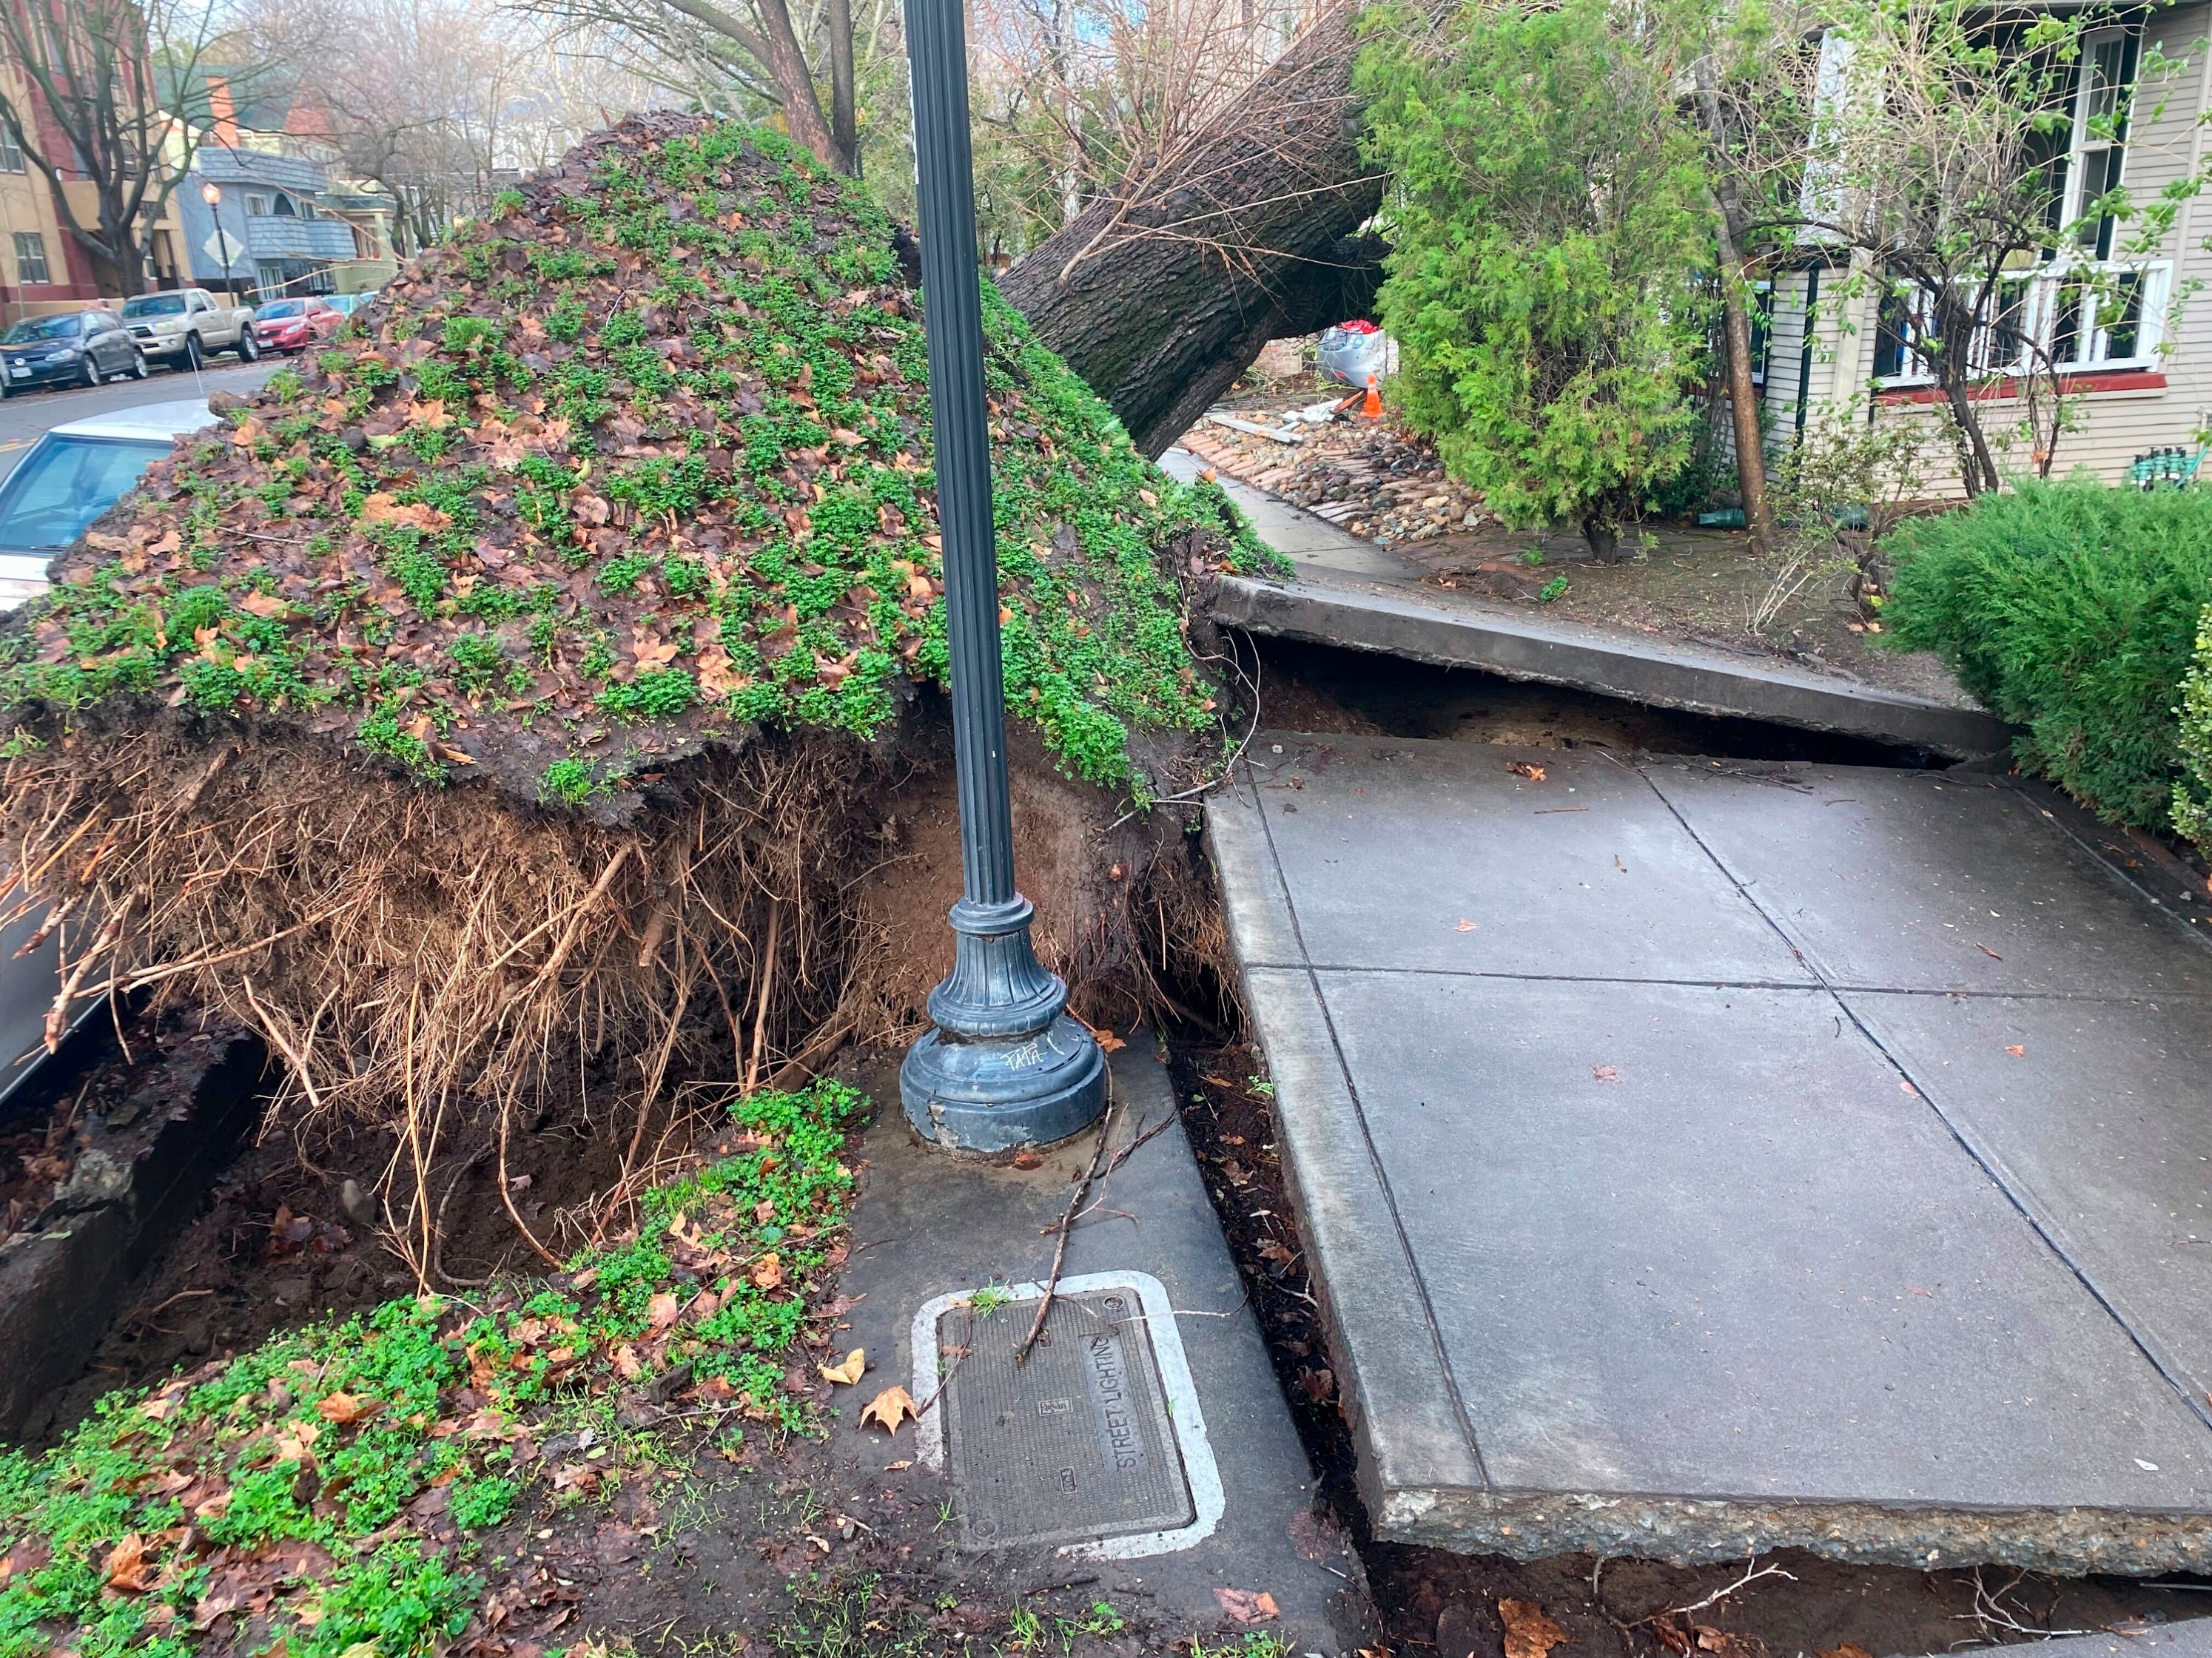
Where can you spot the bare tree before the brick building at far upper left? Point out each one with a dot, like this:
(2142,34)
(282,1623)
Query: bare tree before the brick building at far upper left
(105,72)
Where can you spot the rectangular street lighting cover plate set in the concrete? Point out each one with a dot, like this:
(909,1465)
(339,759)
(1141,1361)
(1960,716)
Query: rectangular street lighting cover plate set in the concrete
(1076,1445)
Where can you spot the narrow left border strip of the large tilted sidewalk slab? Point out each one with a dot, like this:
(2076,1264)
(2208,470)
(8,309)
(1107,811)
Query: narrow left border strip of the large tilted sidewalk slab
(1390,1376)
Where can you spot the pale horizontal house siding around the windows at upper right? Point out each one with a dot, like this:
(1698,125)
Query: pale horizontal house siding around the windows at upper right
(2111,428)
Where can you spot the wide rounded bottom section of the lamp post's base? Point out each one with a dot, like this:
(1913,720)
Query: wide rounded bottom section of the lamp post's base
(1003,1093)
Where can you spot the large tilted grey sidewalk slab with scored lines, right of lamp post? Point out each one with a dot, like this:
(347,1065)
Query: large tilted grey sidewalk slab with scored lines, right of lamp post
(1671,1186)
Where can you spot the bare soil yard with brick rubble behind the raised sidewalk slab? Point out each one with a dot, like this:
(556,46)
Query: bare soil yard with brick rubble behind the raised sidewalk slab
(1673,580)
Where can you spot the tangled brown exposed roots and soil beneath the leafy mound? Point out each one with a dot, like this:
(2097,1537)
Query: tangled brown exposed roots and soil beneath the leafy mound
(455,967)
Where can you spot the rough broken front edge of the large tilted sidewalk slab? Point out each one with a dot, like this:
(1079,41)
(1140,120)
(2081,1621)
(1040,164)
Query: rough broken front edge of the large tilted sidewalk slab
(1682,1531)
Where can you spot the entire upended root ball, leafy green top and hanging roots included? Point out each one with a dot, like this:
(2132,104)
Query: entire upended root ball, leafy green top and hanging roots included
(532,700)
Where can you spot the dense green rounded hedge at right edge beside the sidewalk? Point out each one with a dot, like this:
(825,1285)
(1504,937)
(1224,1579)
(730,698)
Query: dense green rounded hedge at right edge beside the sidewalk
(2072,611)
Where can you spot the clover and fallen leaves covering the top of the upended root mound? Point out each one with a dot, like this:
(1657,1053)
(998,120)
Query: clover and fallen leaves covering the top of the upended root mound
(636,463)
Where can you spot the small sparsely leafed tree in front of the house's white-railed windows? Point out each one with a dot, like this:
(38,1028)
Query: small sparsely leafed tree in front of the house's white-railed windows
(1930,143)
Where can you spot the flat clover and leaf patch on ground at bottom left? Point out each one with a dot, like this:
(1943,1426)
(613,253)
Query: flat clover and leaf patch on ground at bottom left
(331,1489)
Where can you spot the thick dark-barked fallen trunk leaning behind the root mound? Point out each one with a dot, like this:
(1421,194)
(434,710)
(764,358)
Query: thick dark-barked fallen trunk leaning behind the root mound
(1162,293)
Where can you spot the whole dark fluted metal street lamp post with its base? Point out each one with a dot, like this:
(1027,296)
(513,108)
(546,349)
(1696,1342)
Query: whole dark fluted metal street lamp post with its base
(1005,1064)
